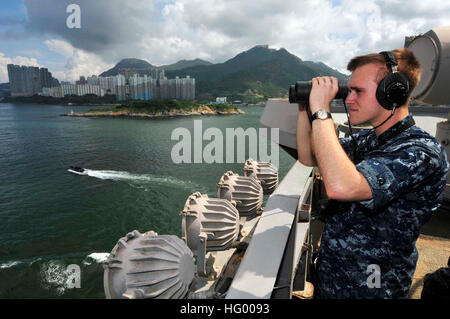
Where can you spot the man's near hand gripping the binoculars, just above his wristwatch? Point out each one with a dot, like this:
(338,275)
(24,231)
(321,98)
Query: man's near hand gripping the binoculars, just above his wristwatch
(323,91)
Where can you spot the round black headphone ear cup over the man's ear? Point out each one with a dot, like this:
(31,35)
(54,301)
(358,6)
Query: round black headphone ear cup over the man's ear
(393,90)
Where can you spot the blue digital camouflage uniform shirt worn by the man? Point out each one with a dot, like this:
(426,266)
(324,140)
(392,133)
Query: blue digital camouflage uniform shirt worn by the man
(406,169)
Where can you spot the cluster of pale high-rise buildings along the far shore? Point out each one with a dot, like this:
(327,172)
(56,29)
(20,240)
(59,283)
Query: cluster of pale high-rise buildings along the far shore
(127,85)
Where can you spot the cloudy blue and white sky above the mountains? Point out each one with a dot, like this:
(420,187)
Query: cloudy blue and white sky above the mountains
(35,32)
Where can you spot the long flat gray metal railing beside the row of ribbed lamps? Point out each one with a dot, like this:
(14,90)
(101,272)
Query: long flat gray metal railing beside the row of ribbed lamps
(269,264)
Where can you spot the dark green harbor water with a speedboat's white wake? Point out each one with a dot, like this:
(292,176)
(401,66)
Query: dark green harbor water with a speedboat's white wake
(51,218)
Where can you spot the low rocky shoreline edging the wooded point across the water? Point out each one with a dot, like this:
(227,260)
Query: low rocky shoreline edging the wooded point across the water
(202,110)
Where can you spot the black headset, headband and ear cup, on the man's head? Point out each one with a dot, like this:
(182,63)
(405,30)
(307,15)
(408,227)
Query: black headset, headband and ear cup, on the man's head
(393,89)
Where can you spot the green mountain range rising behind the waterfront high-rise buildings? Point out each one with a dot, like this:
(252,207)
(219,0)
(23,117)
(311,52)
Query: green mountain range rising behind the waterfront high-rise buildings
(250,76)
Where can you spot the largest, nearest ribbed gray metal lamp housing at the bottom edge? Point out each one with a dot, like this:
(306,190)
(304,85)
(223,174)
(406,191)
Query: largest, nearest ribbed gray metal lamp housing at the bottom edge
(148,266)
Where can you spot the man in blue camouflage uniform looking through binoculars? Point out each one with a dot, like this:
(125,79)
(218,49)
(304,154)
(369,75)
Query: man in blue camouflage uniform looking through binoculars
(384,183)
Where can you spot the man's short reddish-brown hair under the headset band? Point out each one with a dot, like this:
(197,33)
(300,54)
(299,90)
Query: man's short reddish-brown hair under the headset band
(407,63)
